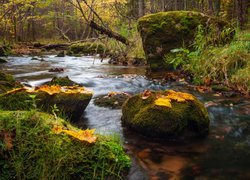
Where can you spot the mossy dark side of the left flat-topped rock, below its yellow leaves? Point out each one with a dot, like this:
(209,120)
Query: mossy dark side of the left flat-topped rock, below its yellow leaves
(70,105)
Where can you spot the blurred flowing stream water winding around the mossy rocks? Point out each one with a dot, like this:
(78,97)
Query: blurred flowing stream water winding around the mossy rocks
(224,154)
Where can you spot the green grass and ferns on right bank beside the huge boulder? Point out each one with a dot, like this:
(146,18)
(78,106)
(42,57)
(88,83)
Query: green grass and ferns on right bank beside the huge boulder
(225,64)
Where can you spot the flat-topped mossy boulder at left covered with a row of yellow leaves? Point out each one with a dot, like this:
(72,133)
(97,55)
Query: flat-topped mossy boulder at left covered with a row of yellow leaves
(63,100)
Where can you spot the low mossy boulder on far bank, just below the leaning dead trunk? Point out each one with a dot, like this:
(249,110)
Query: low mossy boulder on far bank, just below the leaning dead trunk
(87,49)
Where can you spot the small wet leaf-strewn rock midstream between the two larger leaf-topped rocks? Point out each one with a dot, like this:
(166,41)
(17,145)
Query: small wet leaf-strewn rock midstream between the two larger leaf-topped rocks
(113,100)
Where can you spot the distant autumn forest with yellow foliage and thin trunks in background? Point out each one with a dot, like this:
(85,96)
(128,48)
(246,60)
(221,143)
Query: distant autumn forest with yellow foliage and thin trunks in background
(31,20)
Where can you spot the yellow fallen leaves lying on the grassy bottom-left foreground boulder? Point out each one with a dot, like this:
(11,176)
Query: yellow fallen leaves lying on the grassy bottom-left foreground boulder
(82,135)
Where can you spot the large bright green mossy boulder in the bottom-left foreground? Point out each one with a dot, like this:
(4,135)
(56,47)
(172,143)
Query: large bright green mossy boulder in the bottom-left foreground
(31,147)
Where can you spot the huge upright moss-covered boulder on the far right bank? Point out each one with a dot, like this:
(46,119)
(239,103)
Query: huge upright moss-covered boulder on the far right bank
(165,31)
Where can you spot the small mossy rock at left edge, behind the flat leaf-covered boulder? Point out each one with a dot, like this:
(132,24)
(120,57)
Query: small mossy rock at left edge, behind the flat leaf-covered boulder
(7,82)
